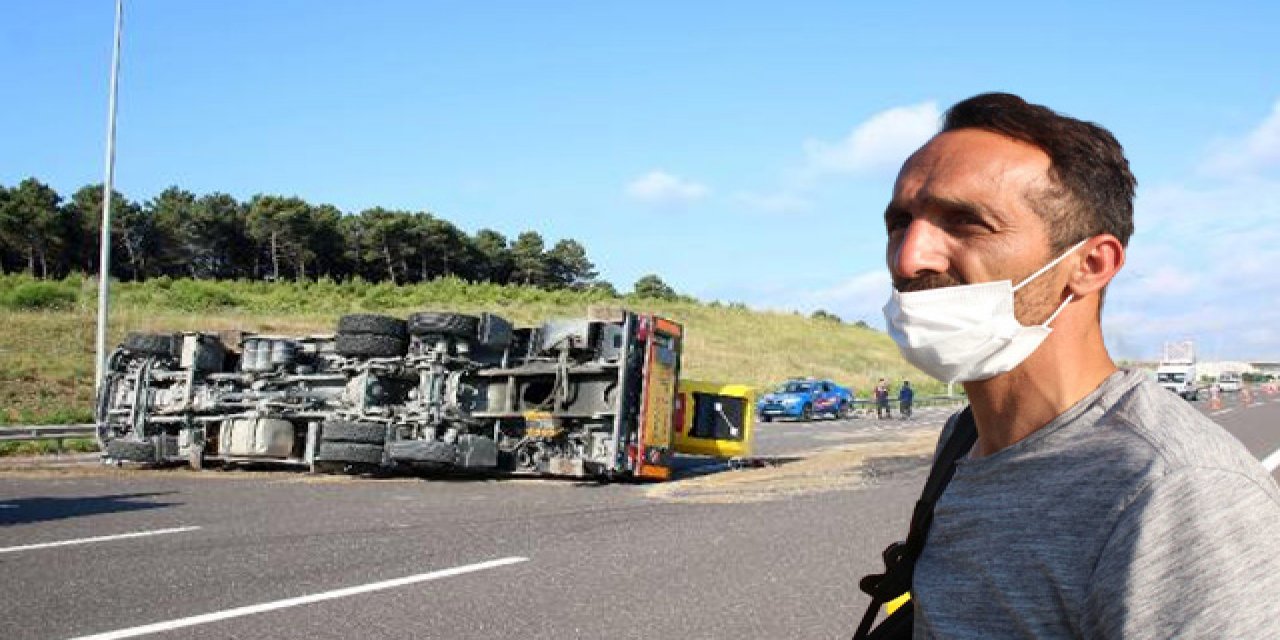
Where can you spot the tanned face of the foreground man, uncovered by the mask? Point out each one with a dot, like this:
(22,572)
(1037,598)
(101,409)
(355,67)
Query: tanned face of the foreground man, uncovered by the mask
(962,214)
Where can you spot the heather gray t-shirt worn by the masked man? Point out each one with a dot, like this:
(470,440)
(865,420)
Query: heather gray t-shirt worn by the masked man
(1128,516)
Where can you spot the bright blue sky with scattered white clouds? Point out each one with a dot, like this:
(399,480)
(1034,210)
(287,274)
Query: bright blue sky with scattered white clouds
(742,150)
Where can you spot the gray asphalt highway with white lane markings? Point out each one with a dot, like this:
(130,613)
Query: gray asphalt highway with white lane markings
(748,555)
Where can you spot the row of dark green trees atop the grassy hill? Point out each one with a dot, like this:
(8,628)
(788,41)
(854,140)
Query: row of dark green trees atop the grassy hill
(216,236)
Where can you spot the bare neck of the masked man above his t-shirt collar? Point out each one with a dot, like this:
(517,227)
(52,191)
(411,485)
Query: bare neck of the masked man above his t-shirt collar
(1016,405)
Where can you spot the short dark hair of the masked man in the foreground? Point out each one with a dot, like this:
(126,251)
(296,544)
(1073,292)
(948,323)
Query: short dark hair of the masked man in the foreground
(1091,188)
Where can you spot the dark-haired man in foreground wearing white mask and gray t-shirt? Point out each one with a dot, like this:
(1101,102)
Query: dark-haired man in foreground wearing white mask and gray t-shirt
(1095,504)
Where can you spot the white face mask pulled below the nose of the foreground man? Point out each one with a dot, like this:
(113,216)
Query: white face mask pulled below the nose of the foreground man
(968,332)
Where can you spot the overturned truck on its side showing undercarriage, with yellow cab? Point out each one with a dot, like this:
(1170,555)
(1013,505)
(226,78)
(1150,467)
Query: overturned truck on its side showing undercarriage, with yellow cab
(592,397)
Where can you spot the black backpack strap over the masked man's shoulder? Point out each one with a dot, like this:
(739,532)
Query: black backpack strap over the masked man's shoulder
(900,557)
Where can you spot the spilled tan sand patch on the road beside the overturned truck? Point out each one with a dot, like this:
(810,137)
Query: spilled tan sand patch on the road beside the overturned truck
(836,469)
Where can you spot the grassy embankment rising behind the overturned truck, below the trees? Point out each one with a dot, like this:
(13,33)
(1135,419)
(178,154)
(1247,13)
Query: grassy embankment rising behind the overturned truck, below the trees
(48,331)
